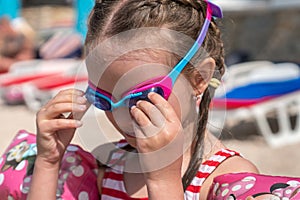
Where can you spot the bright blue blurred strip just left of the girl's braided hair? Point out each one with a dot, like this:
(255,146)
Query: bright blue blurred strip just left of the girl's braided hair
(83,9)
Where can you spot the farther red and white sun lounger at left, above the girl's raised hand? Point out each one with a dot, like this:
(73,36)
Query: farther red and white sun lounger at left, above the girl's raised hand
(31,72)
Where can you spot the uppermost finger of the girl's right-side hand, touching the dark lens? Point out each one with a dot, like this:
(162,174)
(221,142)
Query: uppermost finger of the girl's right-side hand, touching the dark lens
(163,106)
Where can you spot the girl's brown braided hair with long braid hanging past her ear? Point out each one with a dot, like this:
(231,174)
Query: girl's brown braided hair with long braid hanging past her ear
(110,17)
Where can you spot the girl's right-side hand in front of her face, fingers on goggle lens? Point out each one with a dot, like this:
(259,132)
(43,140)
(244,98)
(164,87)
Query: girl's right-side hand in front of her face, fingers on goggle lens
(159,139)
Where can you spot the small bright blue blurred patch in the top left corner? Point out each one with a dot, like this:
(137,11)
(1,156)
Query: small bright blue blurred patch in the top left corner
(10,8)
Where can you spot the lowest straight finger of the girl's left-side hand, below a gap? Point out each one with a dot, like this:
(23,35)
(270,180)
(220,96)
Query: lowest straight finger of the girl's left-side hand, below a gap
(59,124)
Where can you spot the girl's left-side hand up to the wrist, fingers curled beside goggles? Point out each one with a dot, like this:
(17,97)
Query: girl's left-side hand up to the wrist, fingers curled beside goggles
(54,130)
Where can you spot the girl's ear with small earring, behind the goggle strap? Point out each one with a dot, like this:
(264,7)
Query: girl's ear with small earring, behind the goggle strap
(202,75)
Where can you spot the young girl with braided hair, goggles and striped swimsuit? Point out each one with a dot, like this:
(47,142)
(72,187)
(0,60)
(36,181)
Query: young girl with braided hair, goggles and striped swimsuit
(161,113)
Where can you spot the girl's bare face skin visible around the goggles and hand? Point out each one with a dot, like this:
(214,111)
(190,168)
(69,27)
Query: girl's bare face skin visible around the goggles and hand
(127,72)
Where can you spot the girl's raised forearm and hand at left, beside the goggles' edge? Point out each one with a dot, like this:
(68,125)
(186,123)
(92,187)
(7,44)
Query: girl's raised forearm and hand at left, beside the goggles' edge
(54,134)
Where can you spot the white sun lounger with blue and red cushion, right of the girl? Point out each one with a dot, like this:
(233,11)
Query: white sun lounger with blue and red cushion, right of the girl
(271,100)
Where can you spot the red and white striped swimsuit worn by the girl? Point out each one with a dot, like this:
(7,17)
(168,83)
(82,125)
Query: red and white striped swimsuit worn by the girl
(113,187)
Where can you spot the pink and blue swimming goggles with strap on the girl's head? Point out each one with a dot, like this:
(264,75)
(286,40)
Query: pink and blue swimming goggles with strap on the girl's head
(161,85)
